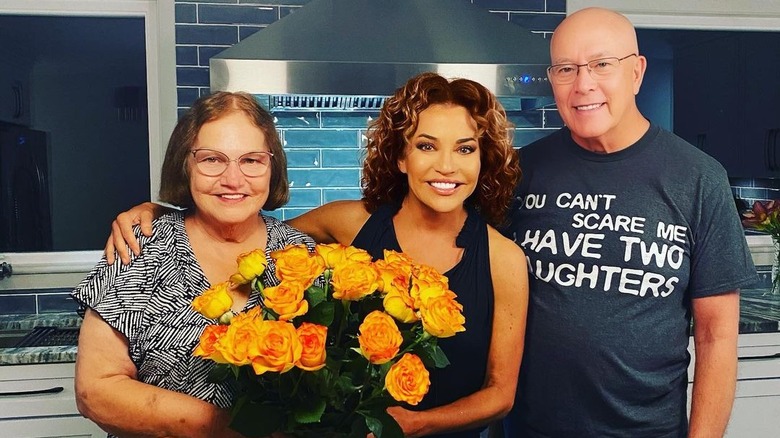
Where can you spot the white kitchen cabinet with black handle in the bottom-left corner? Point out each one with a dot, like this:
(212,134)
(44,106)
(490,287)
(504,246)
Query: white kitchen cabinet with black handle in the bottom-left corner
(42,414)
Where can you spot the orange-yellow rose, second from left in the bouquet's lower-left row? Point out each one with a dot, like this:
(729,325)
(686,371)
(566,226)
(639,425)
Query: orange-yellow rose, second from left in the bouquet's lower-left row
(239,344)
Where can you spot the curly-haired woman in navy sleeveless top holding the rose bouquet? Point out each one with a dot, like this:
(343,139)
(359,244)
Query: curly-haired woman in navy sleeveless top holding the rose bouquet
(438,176)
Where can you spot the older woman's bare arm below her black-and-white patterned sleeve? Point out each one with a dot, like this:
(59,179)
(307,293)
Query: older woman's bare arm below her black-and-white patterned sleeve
(108,392)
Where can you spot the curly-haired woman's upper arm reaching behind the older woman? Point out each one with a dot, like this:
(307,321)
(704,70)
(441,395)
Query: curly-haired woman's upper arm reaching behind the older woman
(337,221)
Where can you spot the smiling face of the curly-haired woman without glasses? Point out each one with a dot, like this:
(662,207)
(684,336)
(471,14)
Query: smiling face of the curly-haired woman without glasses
(442,161)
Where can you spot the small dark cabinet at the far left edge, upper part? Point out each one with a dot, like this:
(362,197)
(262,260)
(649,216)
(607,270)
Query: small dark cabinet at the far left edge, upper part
(14,89)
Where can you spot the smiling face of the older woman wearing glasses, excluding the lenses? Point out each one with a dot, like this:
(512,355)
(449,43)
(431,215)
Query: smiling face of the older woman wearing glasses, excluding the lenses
(230,198)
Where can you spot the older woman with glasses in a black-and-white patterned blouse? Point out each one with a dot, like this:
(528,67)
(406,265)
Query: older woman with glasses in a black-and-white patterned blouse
(135,373)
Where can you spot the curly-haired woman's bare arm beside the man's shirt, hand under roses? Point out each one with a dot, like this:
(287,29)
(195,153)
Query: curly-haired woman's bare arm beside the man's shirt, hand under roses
(496,397)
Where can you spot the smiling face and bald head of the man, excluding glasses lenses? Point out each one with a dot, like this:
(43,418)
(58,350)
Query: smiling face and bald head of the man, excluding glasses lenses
(602,115)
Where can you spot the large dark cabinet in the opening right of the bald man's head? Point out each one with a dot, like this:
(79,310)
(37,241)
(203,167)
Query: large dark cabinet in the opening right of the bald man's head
(725,100)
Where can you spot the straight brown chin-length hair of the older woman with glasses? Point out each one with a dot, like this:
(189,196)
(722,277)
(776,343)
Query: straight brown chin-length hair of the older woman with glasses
(175,179)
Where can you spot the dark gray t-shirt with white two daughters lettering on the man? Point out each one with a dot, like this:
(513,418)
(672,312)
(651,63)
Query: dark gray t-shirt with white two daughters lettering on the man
(618,245)
